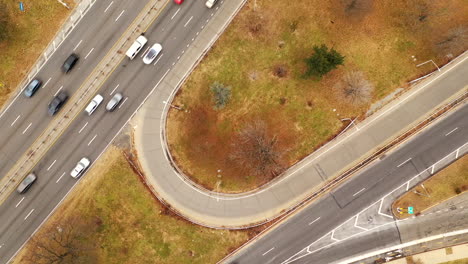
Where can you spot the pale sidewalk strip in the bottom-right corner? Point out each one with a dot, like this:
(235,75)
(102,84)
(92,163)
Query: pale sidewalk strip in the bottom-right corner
(459,252)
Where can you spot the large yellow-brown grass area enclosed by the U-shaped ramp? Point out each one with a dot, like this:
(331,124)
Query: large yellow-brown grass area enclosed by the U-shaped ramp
(248,110)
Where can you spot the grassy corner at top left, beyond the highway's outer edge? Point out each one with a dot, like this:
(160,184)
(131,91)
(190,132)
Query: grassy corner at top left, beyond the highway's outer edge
(23,37)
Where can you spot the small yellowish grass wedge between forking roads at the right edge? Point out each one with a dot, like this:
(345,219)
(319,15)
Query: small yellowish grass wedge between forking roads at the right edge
(448,183)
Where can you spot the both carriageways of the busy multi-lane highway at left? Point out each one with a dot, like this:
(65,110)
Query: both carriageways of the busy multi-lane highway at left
(26,118)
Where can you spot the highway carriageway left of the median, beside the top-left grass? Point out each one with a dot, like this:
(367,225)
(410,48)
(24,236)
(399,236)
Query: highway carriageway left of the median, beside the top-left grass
(91,39)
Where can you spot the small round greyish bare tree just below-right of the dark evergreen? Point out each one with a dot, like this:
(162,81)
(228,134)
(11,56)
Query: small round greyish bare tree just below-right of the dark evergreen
(355,89)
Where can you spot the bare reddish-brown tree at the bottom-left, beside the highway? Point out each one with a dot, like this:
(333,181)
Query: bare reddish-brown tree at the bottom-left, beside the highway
(60,242)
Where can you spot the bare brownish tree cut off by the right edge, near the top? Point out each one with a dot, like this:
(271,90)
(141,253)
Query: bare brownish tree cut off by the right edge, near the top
(455,41)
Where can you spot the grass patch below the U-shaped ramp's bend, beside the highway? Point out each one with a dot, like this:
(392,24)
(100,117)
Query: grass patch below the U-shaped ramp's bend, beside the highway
(112,218)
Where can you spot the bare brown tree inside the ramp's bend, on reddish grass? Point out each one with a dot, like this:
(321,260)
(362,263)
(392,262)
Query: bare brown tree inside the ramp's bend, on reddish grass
(255,150)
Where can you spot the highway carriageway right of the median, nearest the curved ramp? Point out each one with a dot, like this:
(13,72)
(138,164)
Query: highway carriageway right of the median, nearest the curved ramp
(89,135)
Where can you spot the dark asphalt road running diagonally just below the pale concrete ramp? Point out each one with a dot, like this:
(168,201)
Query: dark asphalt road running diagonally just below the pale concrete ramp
(323,216)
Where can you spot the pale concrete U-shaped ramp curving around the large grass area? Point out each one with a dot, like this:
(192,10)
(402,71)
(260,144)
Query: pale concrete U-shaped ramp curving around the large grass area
(302,180)
